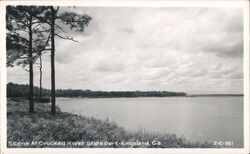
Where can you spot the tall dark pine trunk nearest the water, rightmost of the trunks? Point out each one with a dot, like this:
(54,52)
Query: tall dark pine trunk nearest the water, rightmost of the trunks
(53,100)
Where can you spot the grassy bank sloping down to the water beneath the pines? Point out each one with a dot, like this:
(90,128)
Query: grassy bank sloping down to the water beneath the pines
(66,128)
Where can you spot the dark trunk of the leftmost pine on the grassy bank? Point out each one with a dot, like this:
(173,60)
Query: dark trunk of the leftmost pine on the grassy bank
(31,107)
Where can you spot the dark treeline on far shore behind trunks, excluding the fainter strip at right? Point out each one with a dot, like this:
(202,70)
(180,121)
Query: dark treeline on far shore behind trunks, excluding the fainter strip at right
(21,90)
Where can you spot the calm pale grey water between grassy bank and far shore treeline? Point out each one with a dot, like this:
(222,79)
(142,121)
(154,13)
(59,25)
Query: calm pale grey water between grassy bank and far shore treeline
(196,118)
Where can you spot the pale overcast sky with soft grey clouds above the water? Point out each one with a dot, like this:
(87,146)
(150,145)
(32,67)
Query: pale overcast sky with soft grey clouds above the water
(194,50)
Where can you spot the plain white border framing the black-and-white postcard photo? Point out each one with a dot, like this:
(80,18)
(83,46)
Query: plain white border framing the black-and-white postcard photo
(137,3)
